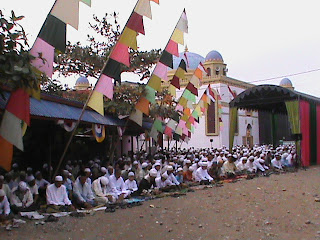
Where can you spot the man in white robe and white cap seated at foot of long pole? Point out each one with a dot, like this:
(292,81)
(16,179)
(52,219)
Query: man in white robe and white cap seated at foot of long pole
(57,198)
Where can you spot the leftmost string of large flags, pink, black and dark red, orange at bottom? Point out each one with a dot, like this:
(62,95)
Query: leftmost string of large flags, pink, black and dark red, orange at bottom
(51,37)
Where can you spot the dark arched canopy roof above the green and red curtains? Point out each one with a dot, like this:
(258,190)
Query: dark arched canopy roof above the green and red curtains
(269,98)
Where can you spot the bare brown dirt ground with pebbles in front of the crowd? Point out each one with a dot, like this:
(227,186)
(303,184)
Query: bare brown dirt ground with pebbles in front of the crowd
(279,207)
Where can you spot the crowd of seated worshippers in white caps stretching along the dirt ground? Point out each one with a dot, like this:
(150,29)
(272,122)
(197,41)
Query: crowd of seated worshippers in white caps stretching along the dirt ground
(88,184)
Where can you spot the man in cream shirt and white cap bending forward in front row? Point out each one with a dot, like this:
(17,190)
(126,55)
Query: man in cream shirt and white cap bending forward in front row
(103,191)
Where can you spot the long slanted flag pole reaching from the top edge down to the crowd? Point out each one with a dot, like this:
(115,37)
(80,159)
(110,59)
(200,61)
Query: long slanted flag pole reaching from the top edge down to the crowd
(87,101)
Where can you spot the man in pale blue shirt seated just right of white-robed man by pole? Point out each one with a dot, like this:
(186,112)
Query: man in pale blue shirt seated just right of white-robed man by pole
(82,193)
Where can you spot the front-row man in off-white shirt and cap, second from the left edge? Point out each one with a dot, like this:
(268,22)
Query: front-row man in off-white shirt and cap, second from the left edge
(21,199)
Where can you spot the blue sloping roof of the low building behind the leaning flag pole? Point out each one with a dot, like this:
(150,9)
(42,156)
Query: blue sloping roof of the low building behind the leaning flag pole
(60,108)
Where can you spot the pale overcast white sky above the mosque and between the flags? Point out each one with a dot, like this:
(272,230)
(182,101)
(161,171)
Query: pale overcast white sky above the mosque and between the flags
(257,39)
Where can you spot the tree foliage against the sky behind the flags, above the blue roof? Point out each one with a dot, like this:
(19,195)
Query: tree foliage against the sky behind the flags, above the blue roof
(89,60)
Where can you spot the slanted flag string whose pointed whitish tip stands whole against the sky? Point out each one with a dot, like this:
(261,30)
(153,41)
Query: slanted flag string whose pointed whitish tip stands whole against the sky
(160,71)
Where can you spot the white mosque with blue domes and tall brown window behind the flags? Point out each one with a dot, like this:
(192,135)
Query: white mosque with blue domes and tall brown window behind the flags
(213,128)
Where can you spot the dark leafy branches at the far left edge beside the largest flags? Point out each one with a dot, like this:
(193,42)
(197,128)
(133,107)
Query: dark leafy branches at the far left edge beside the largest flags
(15,68)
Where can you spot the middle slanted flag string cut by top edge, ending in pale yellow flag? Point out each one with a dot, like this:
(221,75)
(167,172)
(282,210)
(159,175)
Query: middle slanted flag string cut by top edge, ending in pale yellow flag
(120,55)
